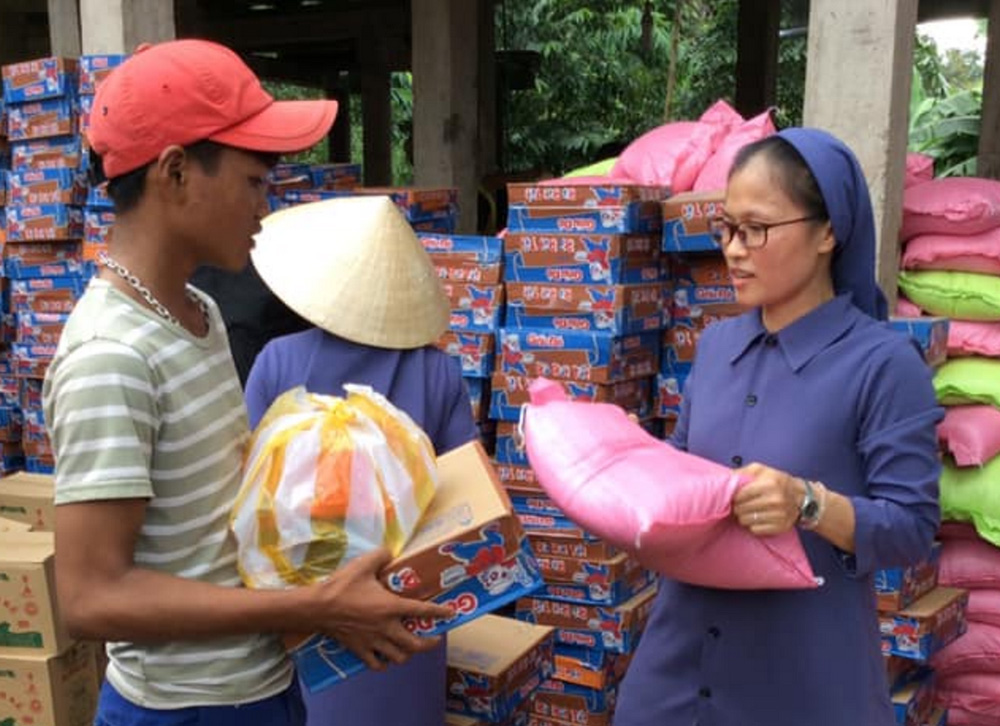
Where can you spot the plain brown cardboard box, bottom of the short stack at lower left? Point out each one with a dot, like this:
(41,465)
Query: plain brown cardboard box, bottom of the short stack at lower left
(38,690)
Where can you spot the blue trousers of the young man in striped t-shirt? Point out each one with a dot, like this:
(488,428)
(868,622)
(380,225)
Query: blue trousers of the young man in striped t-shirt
(285,709)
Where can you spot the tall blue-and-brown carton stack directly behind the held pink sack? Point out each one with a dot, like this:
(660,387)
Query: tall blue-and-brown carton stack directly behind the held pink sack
(584,306)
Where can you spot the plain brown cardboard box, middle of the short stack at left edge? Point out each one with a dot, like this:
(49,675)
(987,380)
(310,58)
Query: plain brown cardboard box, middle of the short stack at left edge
(29,617)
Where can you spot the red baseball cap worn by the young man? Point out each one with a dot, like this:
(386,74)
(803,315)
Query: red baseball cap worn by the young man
(185,91)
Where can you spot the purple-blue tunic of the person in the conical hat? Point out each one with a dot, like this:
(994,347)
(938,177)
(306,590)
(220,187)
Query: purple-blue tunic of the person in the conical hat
(427,384)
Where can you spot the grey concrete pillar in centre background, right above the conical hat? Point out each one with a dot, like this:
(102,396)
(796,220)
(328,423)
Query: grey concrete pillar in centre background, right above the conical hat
(446,99)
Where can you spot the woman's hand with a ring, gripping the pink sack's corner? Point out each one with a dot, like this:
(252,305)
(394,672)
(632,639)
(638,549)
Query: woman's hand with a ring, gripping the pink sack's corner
(770,503)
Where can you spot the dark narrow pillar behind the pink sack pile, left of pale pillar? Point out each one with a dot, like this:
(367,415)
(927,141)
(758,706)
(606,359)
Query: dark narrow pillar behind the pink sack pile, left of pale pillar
(757,56)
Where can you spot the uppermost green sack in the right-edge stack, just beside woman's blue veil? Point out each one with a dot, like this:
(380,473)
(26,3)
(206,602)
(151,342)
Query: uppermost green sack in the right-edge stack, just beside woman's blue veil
(959,295)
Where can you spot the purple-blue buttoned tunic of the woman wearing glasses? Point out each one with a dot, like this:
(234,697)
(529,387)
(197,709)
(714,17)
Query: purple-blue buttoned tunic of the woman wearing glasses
(835,397)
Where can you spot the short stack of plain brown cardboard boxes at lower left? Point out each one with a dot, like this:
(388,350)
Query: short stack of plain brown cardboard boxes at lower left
(46,679)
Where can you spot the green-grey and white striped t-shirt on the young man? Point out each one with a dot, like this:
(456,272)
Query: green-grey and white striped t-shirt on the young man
(138,407)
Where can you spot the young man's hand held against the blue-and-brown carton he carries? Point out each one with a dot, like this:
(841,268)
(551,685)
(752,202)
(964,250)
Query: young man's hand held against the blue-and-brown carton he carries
(361,614)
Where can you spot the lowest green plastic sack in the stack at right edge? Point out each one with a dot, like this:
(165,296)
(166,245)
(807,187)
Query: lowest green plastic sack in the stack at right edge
(972,494)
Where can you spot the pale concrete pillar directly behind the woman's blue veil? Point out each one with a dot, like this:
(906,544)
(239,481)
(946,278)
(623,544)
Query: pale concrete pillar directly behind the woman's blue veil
(858,87)
